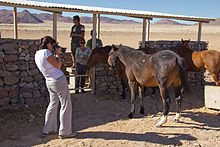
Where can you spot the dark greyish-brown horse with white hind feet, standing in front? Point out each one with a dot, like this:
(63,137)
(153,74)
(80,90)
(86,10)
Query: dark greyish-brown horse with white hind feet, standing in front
(162,69)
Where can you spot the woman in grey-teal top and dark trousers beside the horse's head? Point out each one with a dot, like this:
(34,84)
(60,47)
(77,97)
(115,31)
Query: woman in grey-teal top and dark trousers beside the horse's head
(82,56)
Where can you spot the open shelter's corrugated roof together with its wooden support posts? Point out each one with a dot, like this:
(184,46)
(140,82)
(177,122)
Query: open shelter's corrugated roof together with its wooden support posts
(56,8)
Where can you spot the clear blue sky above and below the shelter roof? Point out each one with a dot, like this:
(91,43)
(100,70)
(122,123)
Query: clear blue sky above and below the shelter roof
(200,8)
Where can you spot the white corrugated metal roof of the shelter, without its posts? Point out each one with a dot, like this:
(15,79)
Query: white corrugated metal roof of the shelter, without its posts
(100,10)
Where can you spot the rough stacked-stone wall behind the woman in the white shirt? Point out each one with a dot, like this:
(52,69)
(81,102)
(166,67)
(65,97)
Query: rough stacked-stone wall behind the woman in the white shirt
(20,80)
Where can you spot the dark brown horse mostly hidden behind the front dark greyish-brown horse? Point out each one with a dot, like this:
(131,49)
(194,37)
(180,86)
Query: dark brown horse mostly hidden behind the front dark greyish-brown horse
(100,55)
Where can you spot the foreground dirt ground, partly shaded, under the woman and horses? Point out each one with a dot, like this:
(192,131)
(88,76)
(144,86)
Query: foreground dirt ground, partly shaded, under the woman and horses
(102,121)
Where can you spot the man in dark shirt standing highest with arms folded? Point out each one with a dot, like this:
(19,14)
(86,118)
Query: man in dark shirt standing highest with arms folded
(77,33)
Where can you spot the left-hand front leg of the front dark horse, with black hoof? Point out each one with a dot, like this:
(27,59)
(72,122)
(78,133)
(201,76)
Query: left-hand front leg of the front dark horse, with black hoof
(132,85)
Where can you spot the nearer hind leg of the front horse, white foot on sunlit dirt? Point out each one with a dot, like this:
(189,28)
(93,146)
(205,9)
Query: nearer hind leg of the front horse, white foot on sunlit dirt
(166,105)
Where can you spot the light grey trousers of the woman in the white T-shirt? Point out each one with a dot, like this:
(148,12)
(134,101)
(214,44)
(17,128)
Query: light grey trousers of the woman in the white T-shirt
(59,91)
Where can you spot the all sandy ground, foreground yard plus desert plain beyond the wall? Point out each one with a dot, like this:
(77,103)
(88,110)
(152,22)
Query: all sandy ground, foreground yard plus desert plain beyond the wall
(102,121)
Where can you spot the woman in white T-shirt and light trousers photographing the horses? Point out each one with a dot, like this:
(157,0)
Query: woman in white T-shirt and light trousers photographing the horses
(56,83)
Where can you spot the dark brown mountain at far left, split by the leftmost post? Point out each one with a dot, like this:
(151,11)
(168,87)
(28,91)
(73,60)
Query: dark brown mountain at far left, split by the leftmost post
(6,16)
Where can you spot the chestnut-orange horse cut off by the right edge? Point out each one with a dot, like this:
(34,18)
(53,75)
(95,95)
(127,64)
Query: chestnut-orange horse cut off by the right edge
(200,60)
